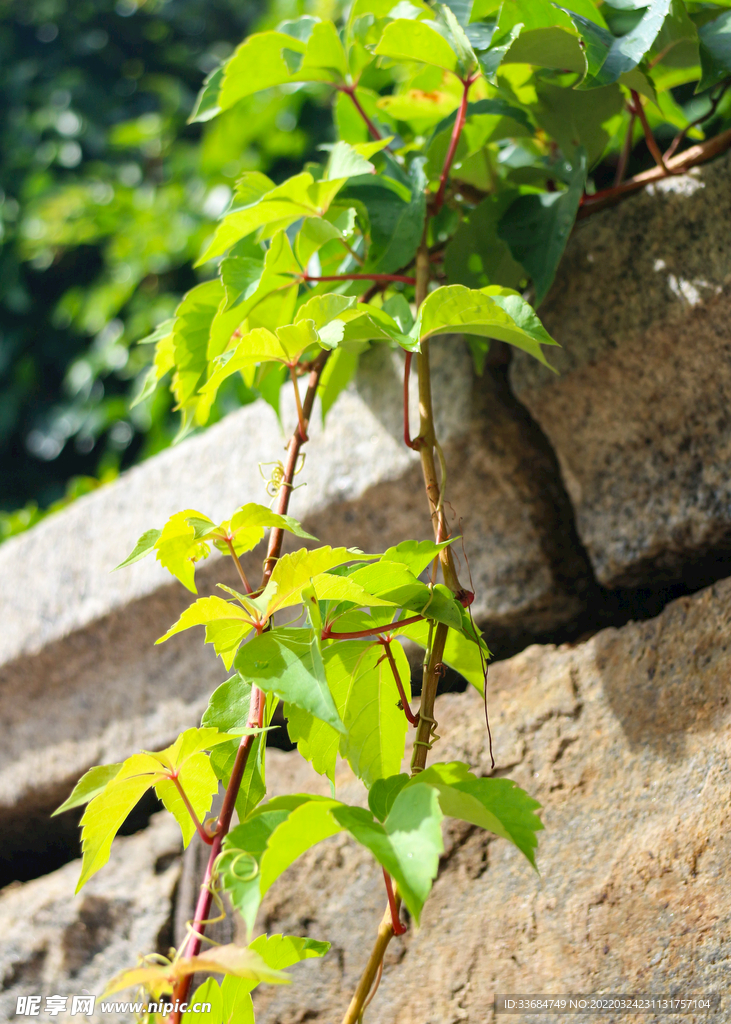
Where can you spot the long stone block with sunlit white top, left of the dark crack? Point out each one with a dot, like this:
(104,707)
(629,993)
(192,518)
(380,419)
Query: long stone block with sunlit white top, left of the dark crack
(78,642)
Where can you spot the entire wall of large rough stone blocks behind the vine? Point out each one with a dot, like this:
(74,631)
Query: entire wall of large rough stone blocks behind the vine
(586,500)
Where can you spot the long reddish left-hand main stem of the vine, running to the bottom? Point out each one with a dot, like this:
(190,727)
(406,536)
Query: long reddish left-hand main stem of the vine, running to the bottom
(259,704)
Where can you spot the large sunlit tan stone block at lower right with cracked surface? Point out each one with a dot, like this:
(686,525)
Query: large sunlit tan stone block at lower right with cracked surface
(625,740)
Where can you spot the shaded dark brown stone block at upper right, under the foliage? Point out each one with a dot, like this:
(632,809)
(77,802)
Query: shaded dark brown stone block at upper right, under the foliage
(639,416)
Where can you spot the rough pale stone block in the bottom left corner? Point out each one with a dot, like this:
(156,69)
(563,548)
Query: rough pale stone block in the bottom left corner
(57,944)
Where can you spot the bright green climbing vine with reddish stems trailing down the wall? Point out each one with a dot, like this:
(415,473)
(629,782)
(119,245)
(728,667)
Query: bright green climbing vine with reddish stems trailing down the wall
(466,135)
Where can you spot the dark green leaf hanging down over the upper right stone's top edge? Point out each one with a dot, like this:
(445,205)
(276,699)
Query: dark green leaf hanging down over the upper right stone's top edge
(537,228)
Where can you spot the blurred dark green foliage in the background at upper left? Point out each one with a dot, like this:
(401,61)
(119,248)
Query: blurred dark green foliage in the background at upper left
(106,198)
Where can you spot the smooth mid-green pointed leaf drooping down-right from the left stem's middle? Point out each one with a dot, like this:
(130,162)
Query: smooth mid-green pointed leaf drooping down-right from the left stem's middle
(282,662)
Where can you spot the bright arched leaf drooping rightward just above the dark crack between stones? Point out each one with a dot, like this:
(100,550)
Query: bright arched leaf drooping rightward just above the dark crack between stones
(456,310)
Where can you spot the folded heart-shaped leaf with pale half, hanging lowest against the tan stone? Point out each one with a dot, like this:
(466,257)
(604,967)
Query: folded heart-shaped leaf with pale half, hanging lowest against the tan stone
(408,844)
